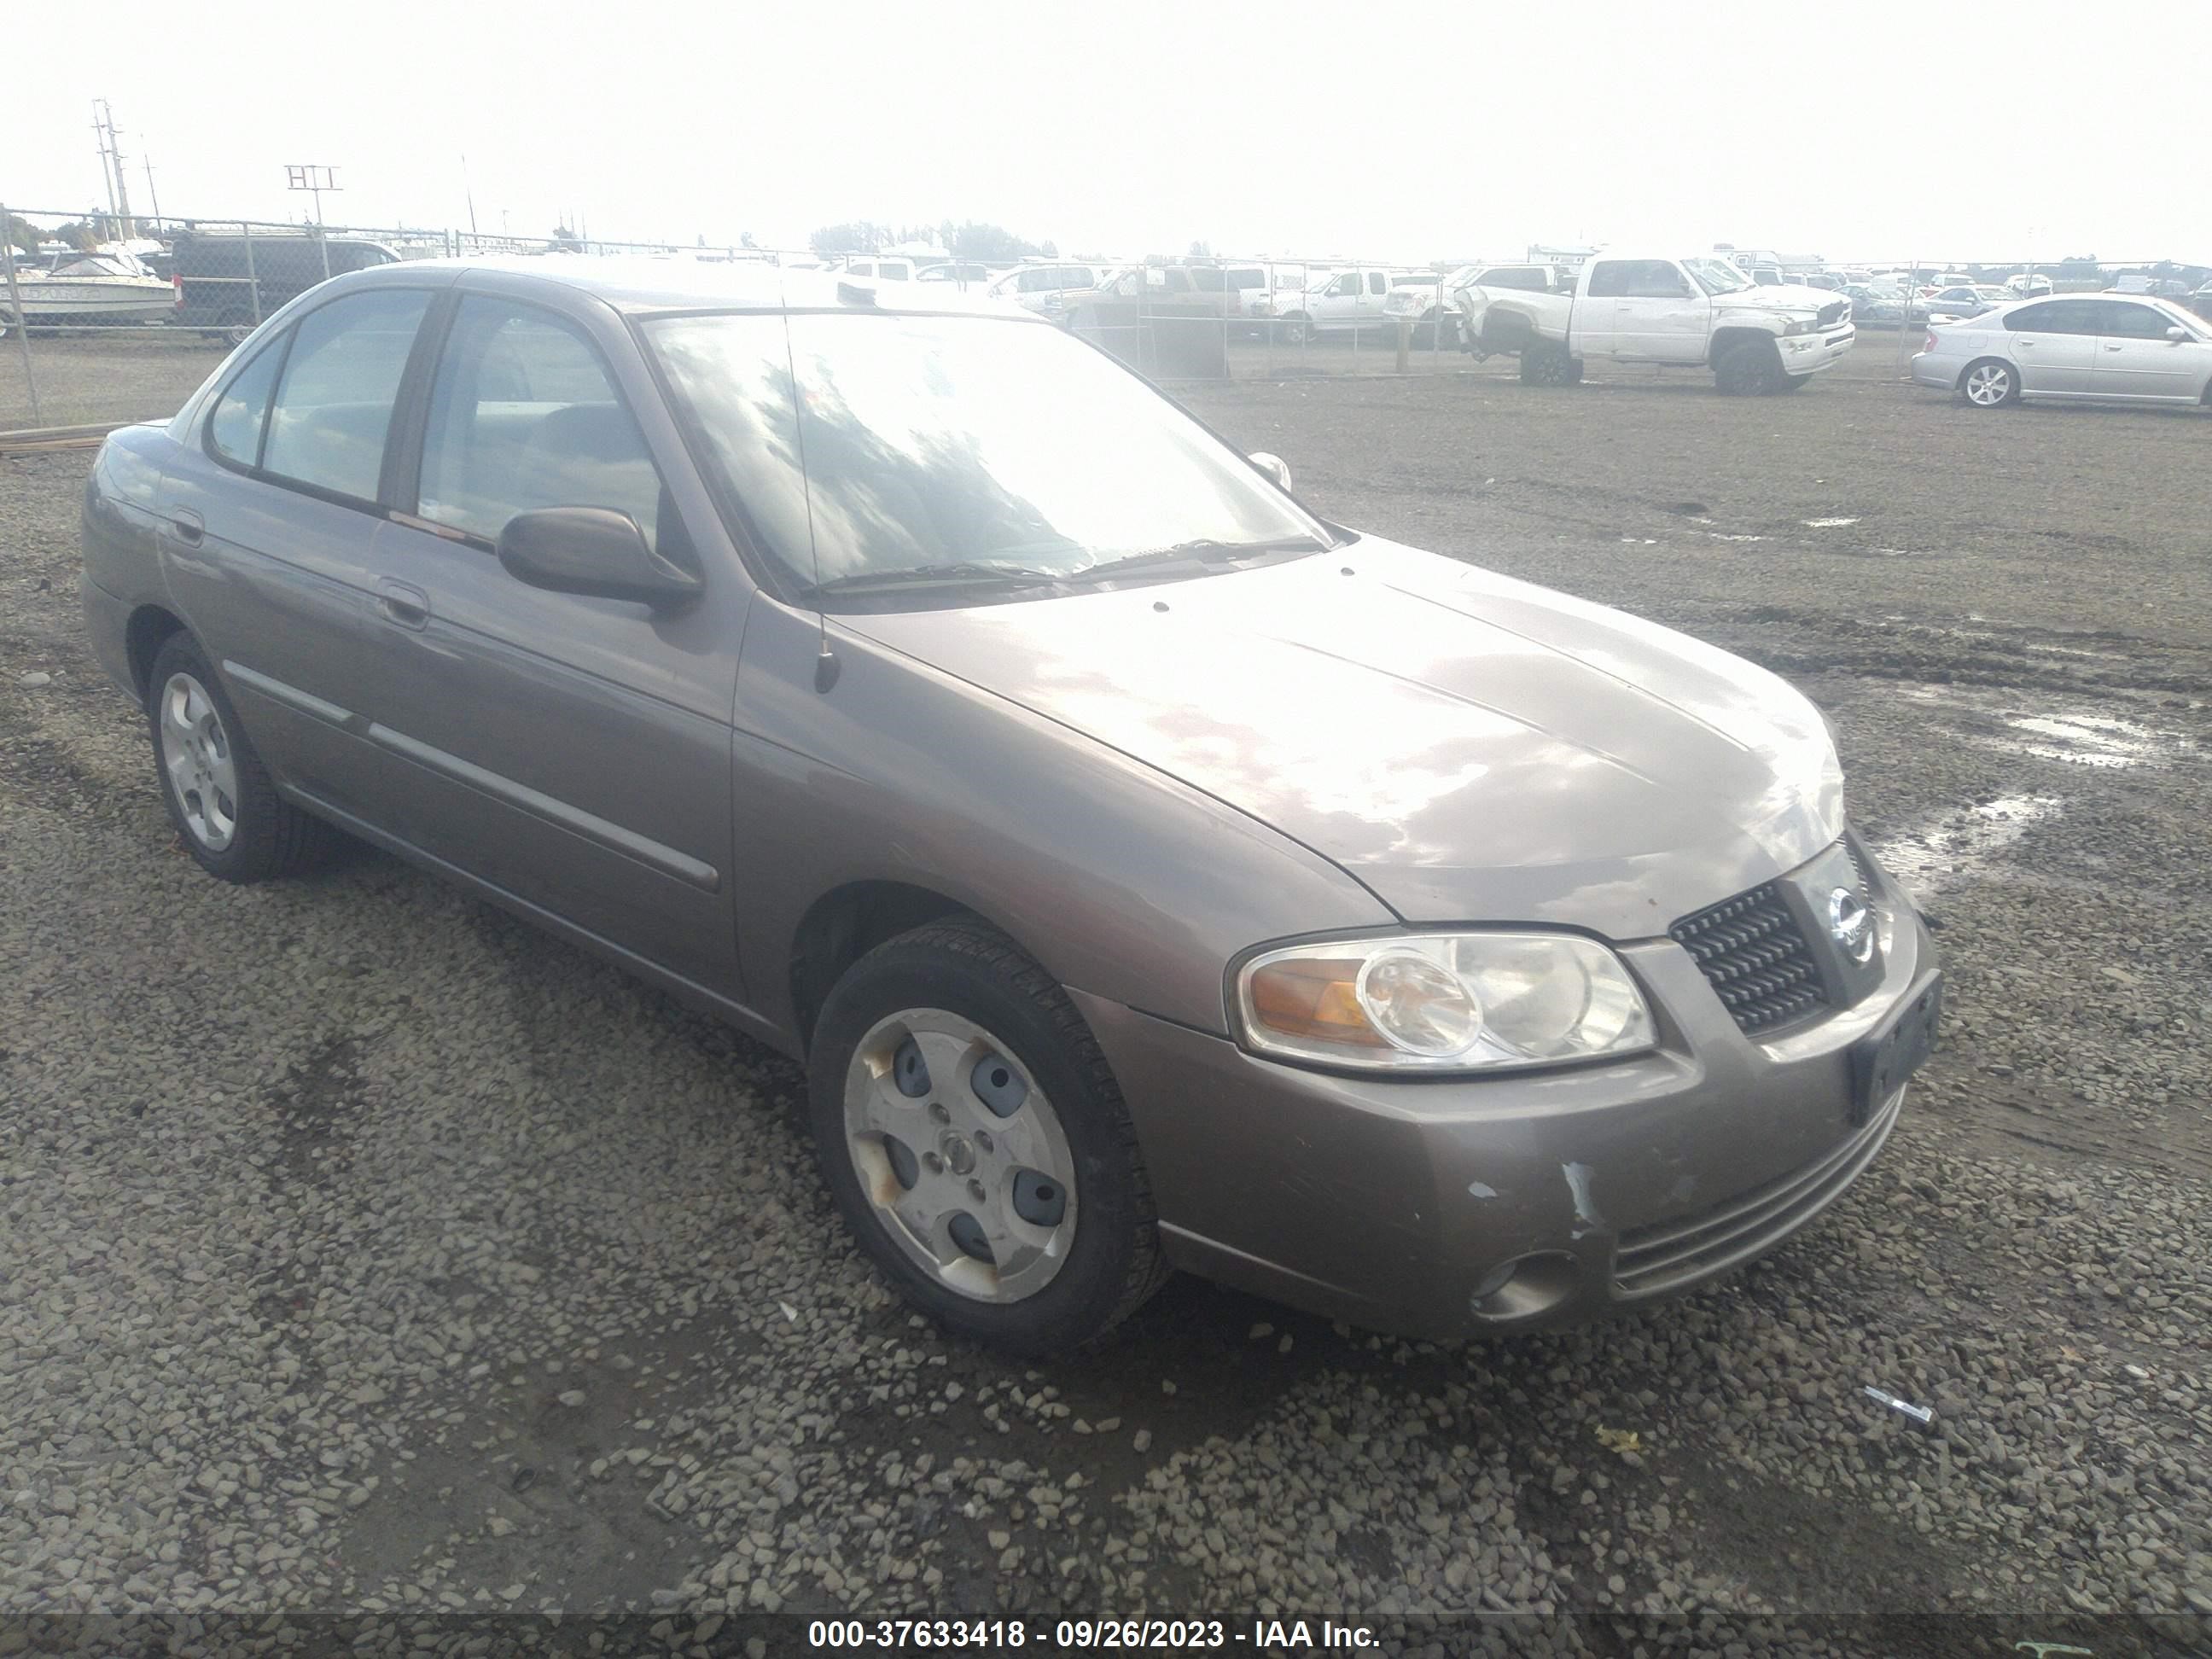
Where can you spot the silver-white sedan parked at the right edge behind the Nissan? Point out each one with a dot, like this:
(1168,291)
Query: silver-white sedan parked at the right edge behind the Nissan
(2103,348)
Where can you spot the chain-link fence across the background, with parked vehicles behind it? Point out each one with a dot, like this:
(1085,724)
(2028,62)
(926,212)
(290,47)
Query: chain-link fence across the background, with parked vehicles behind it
(112,322)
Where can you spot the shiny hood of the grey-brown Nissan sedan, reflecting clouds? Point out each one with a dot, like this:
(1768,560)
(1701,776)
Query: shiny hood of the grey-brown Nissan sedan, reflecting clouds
(1468,747)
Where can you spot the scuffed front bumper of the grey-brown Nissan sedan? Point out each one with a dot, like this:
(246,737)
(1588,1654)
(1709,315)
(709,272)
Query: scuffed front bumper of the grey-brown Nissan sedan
(1397,1204)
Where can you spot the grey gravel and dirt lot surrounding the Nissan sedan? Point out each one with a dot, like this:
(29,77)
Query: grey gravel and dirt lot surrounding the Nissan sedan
(368,1251)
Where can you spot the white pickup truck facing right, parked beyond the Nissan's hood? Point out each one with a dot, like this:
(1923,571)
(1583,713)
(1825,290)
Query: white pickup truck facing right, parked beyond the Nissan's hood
(1669,313)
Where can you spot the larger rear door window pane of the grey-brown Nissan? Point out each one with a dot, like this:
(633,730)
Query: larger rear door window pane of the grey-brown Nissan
(340,384)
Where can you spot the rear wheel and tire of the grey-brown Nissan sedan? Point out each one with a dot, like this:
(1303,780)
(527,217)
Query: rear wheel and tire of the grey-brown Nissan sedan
(213,784)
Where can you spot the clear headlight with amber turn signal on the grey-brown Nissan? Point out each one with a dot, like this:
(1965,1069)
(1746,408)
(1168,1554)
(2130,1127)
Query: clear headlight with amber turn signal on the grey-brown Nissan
(1439,1003)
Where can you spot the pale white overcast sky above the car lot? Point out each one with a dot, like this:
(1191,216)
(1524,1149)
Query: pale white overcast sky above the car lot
(1388,132)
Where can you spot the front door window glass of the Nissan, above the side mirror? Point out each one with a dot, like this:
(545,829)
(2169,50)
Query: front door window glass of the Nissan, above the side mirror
(523,417)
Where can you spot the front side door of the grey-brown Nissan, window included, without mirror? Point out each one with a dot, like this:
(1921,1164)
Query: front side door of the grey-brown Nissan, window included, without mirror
(574,753)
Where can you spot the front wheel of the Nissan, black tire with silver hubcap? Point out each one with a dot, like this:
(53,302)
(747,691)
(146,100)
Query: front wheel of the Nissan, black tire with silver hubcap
(910,1129)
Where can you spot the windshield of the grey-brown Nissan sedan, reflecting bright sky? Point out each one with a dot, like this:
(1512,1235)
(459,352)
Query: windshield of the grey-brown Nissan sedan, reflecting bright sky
(950,459)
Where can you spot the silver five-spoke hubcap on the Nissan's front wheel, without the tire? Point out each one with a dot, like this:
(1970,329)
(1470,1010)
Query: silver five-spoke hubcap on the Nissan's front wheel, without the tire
(961,1156)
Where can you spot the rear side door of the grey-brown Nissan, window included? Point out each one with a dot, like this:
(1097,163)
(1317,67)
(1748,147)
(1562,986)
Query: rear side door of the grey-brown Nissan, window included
(269,528)
